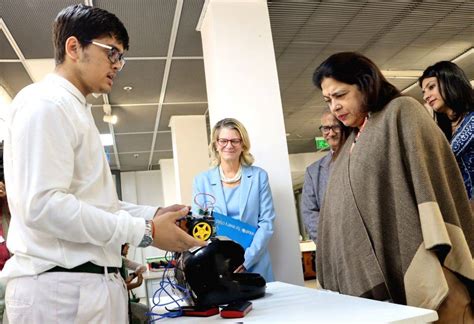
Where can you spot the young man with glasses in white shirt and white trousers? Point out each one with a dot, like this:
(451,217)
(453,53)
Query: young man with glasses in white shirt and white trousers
(67,222)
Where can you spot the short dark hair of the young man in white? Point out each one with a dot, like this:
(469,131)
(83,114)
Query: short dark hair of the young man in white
(85,23)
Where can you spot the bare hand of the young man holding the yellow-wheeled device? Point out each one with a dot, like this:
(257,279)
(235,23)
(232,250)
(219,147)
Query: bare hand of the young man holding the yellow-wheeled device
(169,237)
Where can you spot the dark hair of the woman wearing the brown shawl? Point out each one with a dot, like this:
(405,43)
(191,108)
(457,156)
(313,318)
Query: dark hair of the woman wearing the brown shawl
(356,69)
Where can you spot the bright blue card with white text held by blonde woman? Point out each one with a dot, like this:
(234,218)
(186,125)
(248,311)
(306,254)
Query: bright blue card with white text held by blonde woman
(234,229)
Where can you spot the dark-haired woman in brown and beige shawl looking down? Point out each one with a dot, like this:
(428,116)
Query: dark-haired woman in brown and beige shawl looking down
(396,223)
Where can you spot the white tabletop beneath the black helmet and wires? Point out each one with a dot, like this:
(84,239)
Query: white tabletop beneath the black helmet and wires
(285,303)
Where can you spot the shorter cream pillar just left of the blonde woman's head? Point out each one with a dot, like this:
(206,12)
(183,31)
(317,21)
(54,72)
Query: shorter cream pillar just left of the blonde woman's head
(190,153)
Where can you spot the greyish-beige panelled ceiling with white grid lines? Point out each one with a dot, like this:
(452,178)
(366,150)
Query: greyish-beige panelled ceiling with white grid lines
(166,71)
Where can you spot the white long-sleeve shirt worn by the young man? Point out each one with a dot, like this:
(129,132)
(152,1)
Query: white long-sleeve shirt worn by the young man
(64,206)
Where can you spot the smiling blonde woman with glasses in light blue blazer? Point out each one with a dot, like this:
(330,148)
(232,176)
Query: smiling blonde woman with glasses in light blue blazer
(241,191)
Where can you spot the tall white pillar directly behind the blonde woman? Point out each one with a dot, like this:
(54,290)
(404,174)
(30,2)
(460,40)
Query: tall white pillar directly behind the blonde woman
(242,83)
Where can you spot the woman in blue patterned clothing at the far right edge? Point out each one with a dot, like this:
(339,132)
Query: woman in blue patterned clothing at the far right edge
(447,90)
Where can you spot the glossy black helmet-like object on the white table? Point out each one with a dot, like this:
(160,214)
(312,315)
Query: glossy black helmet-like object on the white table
(208,274)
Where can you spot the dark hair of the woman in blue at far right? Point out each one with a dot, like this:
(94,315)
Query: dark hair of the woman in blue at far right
(454,86)
